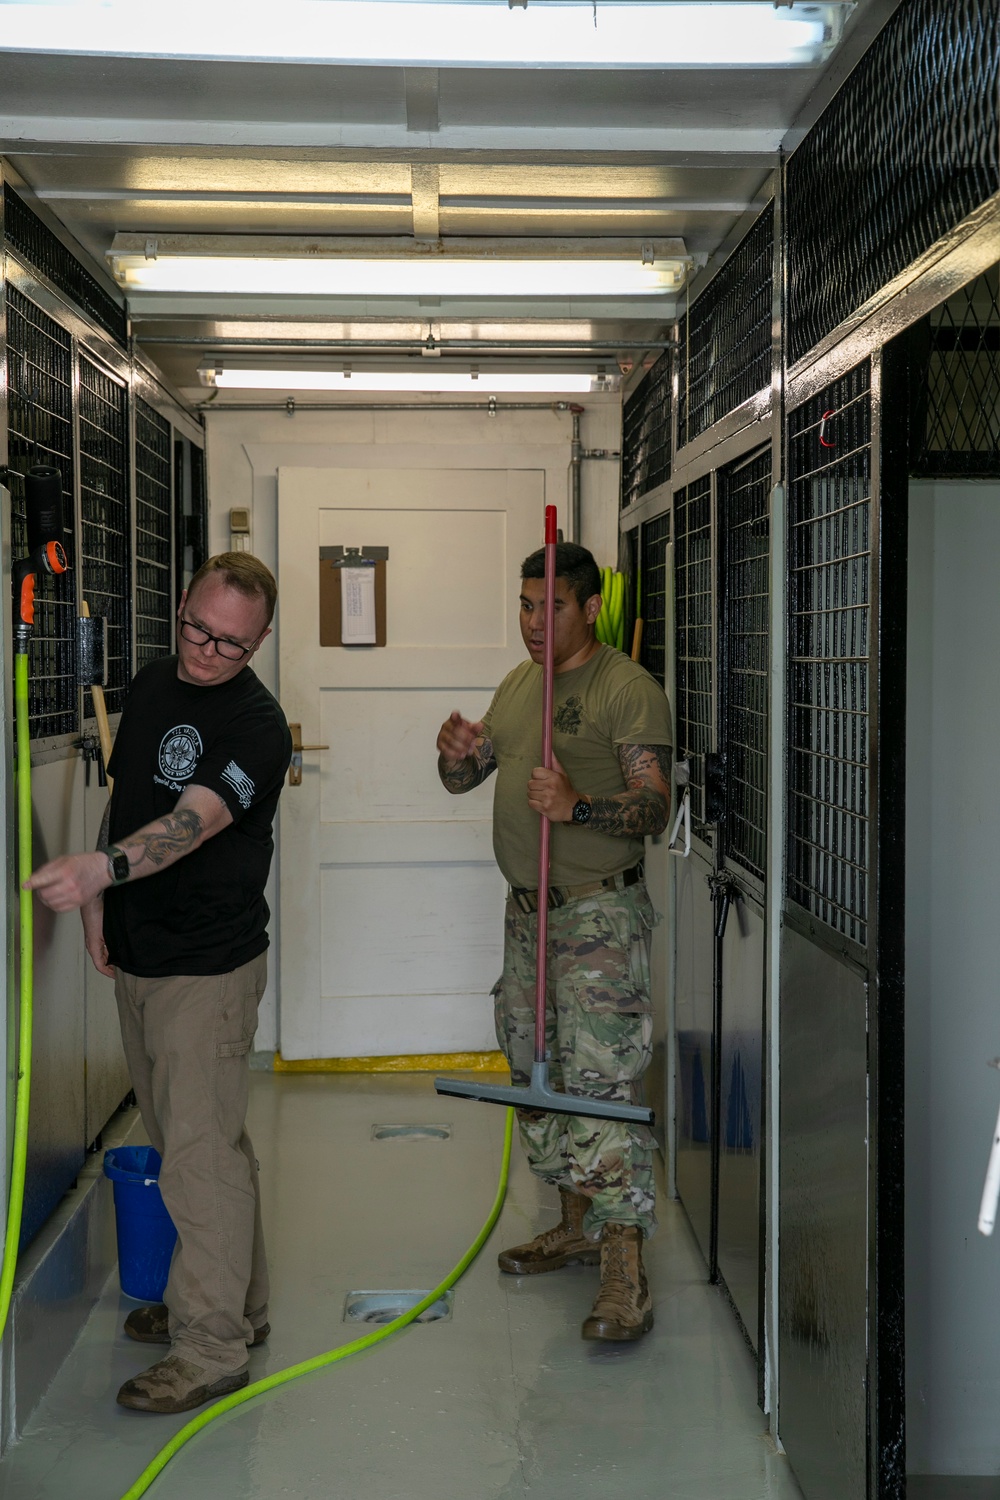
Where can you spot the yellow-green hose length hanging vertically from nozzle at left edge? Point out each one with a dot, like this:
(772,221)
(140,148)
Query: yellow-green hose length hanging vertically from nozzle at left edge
(16,1193)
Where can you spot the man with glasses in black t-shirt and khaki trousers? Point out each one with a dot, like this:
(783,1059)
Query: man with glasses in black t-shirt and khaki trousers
(184,857)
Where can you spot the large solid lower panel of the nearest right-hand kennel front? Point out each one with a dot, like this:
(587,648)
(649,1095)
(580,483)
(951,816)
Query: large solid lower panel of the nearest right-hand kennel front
(824,1220)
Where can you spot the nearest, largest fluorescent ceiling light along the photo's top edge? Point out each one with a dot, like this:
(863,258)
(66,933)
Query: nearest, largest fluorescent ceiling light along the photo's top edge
(439,34)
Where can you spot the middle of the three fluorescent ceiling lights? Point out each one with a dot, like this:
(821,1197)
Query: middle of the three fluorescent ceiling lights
(268,268)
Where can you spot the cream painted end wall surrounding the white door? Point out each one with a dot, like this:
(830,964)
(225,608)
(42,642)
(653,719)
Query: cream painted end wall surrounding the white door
(247,451)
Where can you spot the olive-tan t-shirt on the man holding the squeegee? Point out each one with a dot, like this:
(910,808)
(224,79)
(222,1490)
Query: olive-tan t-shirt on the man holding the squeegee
(609,701)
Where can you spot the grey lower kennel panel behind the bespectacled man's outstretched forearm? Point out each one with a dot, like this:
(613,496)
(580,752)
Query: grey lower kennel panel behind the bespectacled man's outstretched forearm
(56,1127)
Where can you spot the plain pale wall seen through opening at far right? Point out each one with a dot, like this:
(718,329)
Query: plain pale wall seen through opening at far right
(953,1013)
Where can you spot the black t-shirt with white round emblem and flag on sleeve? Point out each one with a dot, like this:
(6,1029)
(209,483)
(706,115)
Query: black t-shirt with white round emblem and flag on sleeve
(206,914)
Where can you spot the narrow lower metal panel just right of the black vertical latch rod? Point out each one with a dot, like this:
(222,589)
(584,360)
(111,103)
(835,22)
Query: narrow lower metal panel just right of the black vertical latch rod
(741,1103)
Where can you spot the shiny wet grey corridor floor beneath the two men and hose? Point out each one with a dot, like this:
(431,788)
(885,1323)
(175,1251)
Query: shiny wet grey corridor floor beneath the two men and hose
(501,1403)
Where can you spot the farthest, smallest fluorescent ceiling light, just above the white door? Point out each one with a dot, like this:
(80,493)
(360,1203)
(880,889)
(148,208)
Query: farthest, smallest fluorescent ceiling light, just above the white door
(457,383)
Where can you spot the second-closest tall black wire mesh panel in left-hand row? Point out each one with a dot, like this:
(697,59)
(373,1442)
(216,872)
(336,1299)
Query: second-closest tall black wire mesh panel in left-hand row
(104,505)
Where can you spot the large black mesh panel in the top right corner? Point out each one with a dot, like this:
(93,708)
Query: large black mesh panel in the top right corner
(905,152)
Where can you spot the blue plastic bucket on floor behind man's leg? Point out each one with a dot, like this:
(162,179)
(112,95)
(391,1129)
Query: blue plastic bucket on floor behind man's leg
(146,1231)
